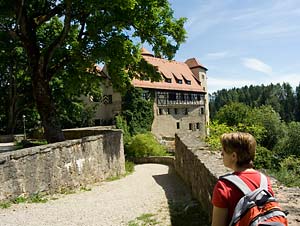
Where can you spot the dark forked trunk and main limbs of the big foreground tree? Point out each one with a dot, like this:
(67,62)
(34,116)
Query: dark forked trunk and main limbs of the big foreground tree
(39,58)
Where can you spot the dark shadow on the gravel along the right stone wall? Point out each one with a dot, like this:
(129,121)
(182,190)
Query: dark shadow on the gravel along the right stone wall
(184,210)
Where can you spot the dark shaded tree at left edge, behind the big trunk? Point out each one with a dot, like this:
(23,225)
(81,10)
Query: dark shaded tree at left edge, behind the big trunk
(15,87)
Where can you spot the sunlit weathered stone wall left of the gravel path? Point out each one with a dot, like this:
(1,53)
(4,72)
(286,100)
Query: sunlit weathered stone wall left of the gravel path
(68,164)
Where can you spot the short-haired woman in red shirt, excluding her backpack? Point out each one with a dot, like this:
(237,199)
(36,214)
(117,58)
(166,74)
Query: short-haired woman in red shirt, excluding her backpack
(238,151)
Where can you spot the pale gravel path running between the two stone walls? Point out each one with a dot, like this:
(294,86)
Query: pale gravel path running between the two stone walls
(113,203)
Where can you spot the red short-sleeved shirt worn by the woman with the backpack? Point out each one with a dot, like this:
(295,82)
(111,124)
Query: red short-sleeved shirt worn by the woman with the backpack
(227,195)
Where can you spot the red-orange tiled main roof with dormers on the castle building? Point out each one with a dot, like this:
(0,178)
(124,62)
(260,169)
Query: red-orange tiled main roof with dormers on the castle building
(170,70)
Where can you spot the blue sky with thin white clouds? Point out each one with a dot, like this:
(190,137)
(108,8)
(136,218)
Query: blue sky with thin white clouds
(242,42)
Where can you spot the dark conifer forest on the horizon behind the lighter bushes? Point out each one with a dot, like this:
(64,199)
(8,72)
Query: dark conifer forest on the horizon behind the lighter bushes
(282,98)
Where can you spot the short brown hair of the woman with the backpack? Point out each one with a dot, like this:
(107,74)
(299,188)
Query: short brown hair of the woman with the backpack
(243,144)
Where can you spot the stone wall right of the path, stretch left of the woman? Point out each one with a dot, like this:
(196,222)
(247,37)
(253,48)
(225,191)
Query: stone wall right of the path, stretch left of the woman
(198,167)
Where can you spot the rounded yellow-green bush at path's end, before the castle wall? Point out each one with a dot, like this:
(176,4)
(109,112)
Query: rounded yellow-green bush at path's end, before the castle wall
(143,145)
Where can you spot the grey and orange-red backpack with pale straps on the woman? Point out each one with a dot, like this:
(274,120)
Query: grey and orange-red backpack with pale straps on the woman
(256,207)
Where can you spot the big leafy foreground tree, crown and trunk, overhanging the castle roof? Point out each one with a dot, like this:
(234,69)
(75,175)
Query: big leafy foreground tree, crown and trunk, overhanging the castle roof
(65,38)
